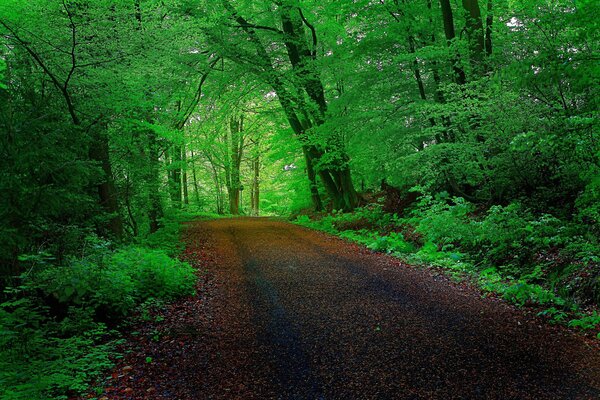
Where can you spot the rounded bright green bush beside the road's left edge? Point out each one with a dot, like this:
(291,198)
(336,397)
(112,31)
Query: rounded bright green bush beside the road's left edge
(113,283)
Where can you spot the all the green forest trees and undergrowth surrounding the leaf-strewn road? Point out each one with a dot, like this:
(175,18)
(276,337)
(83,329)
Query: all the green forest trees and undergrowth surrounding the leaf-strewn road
(463,134)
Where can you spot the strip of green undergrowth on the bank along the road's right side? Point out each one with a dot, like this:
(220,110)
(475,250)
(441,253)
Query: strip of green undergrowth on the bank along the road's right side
(527,259)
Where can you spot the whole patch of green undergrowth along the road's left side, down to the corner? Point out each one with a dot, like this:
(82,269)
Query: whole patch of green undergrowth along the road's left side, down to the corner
(59,325)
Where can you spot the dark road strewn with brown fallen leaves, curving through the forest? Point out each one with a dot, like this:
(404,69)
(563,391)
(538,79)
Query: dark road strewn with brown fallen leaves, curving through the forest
(284,312)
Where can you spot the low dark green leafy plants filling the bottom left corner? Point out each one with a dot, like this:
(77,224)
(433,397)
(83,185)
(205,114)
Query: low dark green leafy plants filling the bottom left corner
(41,358)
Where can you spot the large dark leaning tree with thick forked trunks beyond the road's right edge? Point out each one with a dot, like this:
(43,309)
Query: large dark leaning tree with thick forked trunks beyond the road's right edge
(301,93)
